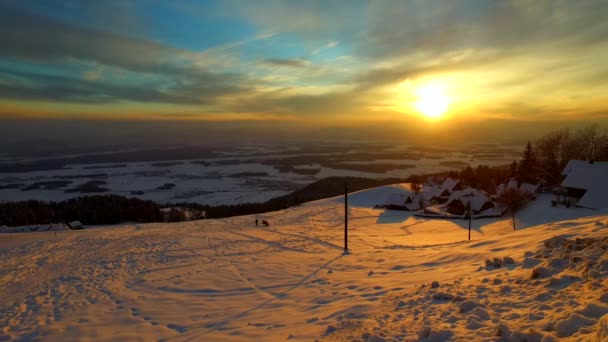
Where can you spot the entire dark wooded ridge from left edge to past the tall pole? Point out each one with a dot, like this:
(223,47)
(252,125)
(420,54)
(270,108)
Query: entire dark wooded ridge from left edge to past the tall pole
(112,209)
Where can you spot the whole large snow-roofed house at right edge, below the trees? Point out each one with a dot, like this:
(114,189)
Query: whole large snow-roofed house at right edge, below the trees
(586,183)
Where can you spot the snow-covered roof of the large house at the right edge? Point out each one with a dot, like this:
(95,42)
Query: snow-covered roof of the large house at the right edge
(592,179)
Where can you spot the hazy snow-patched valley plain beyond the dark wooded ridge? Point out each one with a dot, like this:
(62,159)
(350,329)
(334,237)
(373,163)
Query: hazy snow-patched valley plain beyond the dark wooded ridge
(232,175)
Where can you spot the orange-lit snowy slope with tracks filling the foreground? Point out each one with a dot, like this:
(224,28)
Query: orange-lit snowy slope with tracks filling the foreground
(227,280)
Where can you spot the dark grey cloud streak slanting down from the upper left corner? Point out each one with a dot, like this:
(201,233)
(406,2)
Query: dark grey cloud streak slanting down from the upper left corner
(37,39)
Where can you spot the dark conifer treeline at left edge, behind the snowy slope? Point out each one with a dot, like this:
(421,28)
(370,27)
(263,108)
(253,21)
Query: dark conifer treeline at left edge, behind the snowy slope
(91,210)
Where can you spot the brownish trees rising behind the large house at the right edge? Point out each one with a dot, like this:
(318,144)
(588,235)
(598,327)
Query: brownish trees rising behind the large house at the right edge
(544,159)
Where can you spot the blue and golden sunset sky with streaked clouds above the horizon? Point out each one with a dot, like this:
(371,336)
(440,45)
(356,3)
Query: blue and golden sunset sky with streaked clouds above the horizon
(304,62)
